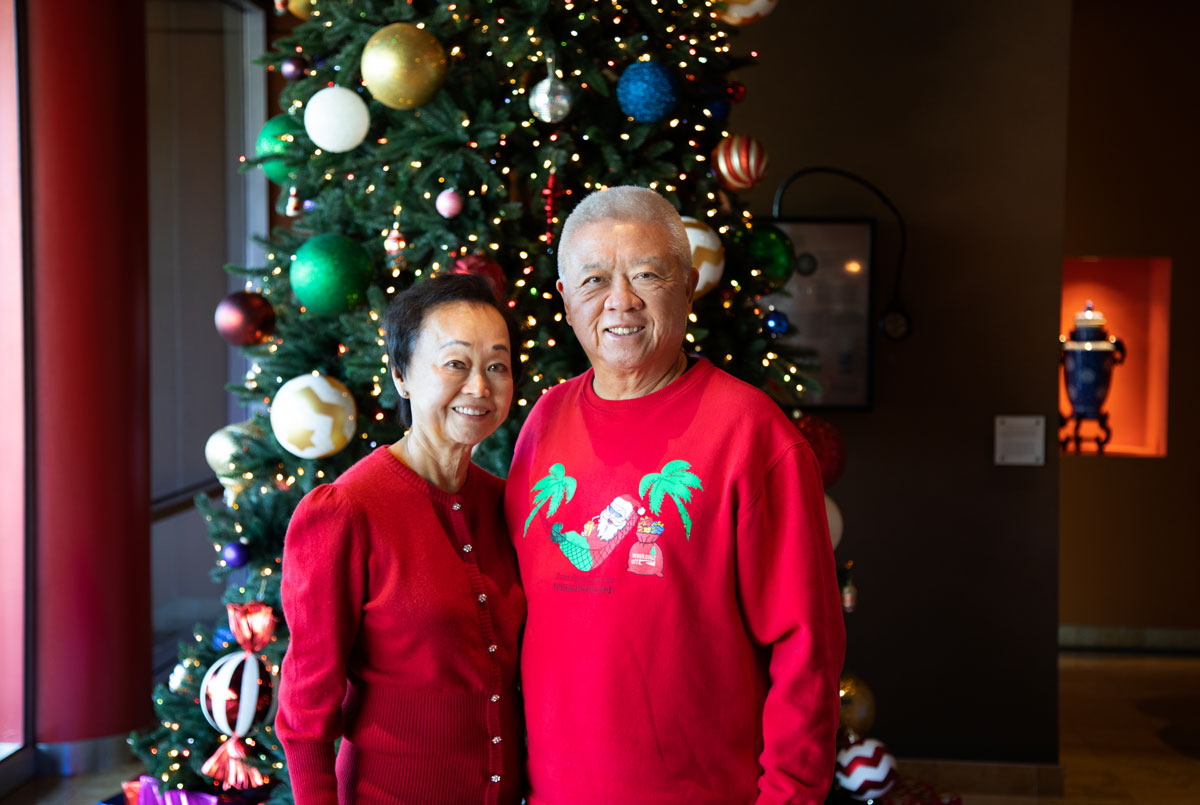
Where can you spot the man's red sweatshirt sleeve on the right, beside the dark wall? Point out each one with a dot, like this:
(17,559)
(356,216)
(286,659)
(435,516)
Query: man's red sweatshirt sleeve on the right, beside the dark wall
(789,593)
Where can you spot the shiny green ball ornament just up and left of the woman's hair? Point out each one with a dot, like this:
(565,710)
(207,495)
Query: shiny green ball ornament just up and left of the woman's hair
(331,274)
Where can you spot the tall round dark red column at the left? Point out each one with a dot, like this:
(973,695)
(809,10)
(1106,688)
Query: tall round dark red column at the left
(88,121)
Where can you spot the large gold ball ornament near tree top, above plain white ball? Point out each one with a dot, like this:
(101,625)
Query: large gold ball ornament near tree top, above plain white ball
(404,65)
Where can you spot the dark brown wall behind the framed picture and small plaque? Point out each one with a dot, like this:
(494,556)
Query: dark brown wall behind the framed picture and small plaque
(958,112)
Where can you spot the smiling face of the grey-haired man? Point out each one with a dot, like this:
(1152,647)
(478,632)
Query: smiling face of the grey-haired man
(627,297)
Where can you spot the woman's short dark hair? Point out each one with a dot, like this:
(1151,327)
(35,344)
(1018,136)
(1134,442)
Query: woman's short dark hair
(409,310)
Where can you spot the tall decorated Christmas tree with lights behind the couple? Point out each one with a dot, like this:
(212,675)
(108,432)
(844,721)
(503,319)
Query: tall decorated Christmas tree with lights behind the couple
(416,139)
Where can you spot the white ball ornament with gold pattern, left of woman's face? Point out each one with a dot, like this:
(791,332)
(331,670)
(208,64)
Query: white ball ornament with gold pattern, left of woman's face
(314,416)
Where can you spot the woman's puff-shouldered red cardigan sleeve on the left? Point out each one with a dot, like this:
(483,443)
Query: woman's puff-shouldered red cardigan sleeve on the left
(325,578)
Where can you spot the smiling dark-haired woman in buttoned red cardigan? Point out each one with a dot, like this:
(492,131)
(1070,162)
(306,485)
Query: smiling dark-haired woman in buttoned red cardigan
(400,586)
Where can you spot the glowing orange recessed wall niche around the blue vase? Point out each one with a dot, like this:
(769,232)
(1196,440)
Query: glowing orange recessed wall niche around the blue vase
(1135,296)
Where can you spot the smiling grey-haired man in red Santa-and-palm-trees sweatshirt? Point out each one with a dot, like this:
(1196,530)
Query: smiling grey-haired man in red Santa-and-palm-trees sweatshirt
(685,638)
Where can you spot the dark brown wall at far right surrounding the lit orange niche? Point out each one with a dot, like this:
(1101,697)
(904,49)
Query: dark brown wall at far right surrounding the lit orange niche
(1130,548)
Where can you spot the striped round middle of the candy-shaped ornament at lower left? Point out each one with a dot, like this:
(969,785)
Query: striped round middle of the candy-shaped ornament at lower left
(237,693)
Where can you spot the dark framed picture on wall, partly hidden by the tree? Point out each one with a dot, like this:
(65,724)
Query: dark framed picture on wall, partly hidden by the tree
(829,304)
